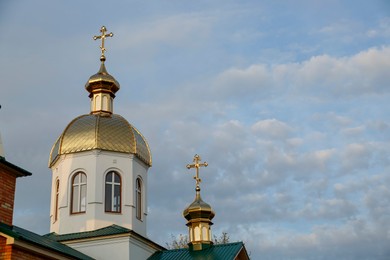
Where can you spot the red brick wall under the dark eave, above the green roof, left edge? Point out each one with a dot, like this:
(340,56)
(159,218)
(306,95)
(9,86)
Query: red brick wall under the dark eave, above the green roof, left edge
(7,196)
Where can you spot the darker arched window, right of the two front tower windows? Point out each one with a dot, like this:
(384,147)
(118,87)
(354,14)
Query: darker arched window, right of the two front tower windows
(113,192)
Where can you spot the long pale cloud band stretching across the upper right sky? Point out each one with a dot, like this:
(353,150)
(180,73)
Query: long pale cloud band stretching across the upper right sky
(321,76)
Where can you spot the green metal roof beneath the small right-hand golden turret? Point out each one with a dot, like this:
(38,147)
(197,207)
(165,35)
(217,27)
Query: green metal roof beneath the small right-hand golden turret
(215,252)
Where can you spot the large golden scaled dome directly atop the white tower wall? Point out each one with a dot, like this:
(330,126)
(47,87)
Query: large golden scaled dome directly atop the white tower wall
(101,132)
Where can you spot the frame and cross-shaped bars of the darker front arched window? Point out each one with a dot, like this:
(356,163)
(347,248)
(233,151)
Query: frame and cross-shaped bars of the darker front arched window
(111,197)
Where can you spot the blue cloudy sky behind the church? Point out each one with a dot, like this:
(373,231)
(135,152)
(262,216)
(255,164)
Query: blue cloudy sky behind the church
(287,101)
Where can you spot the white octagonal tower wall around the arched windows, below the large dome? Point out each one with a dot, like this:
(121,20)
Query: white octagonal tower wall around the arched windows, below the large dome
(95,164)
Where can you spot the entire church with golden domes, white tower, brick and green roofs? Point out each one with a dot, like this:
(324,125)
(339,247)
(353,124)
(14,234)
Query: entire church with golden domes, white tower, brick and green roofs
(98,208)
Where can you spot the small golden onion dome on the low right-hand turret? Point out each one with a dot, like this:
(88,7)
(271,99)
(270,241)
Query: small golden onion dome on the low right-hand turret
(198,209)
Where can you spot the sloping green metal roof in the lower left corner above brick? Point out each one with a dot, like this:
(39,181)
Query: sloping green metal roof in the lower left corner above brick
(42,241)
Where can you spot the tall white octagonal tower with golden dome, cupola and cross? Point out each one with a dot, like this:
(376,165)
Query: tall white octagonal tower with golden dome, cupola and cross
(99,165)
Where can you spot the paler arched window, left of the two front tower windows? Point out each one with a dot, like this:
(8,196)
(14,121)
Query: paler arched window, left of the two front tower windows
(79,193)
